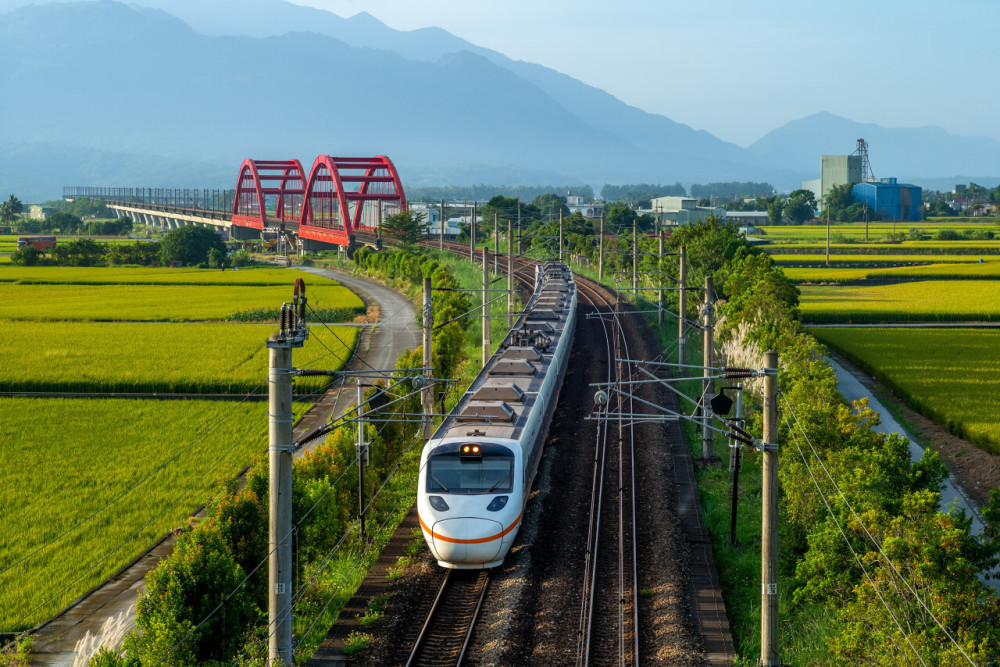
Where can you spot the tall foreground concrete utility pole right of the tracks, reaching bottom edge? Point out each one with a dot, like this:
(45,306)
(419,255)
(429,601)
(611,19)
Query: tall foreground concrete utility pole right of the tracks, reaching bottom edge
(769,517)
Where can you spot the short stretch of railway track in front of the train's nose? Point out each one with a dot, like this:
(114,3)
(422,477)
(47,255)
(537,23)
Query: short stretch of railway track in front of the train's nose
(448,627)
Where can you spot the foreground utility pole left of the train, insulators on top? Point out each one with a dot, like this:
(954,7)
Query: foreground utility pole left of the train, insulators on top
(279,407)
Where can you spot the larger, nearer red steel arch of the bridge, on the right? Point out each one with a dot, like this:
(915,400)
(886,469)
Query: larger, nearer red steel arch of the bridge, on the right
(348,194)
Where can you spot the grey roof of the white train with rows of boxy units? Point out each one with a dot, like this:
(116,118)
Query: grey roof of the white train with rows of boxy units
(500,399)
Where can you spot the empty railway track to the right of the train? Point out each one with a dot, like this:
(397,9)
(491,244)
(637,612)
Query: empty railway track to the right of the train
(608,631)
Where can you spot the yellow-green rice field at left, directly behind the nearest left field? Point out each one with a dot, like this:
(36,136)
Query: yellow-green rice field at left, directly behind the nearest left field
(130,357)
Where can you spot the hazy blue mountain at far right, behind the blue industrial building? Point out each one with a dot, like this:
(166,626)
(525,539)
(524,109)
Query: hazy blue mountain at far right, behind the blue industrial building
(908,153)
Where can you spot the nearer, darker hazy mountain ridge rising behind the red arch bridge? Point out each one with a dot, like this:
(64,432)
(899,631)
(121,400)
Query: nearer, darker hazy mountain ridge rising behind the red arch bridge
(113,78)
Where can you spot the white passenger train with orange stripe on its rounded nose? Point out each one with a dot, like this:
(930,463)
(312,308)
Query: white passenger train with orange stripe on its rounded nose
(478,467)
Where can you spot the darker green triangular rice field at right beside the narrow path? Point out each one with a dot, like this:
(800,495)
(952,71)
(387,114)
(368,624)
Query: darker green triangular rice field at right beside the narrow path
(949,375)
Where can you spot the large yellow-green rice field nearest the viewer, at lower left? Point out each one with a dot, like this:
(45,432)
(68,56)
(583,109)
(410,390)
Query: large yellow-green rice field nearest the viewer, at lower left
(64,459)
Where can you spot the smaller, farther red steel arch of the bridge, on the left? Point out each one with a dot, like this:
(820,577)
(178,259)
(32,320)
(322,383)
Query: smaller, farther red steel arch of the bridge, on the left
(269,192)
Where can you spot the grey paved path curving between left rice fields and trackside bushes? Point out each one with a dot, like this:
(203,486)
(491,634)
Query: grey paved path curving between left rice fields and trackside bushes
(378,347)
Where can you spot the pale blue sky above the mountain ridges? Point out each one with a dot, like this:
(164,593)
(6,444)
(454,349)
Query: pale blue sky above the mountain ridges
(740,69)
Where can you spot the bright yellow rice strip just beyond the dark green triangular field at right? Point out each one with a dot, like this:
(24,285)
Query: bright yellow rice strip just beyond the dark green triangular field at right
(923,301)
